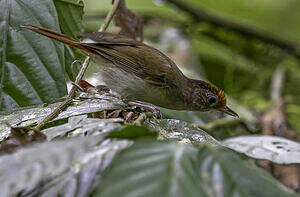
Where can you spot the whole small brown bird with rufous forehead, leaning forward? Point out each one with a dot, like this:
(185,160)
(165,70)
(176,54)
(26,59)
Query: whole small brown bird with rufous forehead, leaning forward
(139,72)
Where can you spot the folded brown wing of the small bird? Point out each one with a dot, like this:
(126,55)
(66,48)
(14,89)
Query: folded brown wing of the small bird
(138,58)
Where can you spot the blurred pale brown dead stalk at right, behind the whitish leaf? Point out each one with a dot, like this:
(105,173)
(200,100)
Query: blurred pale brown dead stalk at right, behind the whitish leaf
(274,123)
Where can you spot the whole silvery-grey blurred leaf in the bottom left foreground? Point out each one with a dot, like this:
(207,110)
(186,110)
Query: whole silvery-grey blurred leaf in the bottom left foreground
(62,168)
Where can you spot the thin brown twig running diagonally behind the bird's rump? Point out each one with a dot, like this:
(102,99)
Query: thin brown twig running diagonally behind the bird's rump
(83,68)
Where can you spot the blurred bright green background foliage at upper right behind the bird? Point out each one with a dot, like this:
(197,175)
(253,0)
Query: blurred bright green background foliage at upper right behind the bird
(243,67)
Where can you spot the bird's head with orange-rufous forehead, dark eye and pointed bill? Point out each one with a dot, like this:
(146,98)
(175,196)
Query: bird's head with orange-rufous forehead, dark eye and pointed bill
(209,97)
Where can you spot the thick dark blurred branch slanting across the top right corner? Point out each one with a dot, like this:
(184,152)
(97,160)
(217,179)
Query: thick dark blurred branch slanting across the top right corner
(200,15)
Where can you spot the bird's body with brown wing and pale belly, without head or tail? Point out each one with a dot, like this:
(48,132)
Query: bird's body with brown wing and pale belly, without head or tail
(138,71)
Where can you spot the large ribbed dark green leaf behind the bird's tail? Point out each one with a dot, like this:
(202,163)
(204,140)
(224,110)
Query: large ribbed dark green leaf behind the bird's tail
(31,66)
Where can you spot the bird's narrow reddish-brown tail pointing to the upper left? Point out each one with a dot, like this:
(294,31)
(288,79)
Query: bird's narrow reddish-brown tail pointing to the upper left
(57,36)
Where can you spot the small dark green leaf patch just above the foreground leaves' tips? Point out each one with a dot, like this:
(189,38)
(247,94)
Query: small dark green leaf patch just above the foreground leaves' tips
(132,132)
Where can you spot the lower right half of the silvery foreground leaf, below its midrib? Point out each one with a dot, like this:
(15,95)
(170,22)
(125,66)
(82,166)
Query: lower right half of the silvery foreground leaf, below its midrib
(82,176)
